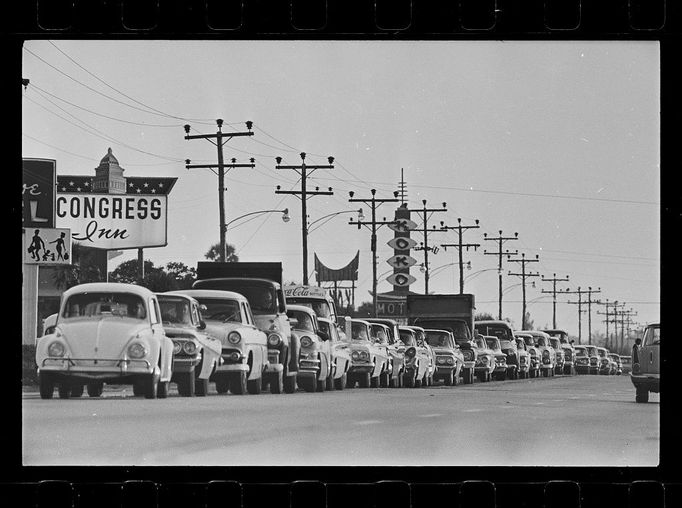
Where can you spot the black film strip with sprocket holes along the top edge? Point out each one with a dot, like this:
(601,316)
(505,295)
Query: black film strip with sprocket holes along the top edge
(347,17)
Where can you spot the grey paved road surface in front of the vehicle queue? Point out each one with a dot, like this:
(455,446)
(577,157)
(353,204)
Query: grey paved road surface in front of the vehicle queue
(573,421)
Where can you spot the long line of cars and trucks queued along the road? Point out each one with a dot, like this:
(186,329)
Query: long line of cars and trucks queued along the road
(246,336)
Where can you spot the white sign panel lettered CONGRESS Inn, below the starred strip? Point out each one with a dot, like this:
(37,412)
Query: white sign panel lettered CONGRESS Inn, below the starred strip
(114,221)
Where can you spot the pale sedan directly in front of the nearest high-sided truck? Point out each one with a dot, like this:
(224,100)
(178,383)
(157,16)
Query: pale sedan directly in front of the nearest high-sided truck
(229,319)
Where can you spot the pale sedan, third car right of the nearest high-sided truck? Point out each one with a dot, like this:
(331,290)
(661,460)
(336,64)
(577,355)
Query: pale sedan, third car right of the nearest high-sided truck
(369,360)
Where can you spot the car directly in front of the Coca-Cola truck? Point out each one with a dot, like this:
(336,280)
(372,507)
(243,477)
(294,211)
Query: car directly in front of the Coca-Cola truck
(314,366)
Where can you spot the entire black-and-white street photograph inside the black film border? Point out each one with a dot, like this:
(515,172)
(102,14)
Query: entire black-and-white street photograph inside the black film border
(341,252)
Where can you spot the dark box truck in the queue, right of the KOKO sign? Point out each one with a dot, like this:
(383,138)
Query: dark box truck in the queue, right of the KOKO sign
(451,312)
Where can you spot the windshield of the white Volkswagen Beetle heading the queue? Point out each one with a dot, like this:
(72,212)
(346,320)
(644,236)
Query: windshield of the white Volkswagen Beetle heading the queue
(126,305)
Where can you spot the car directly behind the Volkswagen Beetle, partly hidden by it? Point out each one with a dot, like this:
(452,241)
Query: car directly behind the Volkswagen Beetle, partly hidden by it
(195,353)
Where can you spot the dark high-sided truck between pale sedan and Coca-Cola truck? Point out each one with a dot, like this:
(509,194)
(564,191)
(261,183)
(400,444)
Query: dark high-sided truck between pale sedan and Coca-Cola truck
(261,284)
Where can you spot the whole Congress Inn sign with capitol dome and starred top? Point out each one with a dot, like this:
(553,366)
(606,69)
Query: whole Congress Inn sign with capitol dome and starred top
(111,211)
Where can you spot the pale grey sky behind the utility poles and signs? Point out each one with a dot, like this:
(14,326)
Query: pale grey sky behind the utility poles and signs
(558,141)
